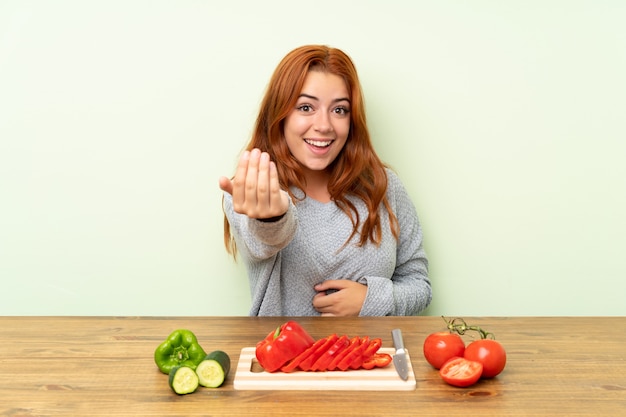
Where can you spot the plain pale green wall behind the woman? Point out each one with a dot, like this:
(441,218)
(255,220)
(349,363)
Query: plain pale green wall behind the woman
(505,119)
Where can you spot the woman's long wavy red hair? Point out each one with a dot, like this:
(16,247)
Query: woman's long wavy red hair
(357,170)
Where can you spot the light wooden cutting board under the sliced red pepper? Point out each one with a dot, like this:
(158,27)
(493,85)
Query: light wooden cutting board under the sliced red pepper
(250,376)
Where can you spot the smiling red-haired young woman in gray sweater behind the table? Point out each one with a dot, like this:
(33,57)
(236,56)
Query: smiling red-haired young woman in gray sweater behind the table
(324,227)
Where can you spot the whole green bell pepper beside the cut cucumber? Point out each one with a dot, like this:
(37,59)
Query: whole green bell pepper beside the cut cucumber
(181,348)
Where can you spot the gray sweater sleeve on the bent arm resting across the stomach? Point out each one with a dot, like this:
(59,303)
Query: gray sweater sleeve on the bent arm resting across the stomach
(408,292)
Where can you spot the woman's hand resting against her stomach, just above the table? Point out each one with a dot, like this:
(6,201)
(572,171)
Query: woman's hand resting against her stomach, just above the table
(347,300)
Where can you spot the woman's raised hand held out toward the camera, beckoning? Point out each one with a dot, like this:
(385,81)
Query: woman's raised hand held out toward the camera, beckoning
(255,188)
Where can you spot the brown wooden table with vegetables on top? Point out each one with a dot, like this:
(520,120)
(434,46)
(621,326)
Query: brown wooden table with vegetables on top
(103,366)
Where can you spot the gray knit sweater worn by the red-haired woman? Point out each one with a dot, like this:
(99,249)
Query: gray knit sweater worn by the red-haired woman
(286,258)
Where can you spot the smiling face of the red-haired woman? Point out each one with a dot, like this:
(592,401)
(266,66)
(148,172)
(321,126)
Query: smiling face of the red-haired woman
(317,128)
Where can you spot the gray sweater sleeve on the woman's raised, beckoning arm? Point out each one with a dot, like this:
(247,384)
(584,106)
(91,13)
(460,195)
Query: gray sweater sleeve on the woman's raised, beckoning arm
(257,239)
